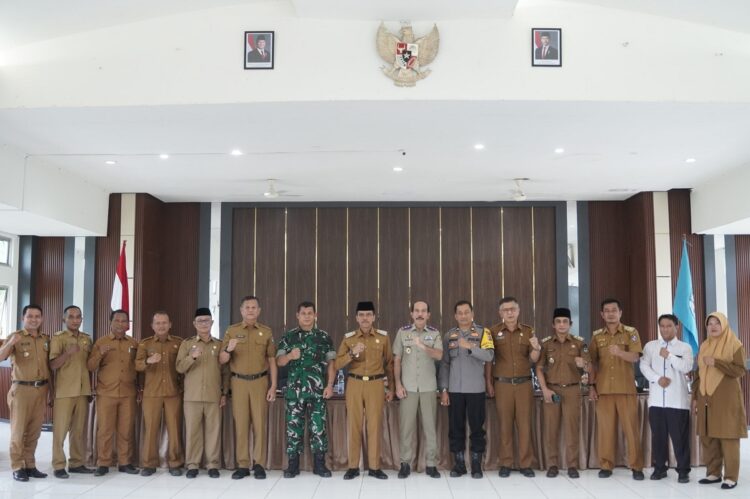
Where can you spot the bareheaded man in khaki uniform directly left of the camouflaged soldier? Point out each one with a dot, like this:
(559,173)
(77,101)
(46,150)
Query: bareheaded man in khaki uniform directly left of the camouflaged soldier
(249,349)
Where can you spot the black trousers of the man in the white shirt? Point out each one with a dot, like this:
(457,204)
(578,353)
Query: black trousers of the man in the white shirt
(669,423)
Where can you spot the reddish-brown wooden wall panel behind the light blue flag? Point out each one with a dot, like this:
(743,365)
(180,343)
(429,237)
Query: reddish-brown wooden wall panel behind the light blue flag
(680,224)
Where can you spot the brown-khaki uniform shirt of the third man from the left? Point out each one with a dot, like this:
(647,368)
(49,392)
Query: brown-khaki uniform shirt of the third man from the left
(115,370)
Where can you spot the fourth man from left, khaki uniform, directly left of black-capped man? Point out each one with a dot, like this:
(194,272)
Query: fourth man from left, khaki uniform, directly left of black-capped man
(162,391)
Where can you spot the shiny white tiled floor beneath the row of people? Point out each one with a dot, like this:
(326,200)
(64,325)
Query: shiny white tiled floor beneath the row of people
(162,485)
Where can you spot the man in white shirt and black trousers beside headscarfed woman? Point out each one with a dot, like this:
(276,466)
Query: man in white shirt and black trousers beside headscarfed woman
(665,362)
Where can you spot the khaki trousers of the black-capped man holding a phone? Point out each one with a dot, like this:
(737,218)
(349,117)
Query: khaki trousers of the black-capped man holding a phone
(567,412)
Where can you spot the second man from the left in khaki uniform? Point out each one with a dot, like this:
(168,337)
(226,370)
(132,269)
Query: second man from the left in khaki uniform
(69,350)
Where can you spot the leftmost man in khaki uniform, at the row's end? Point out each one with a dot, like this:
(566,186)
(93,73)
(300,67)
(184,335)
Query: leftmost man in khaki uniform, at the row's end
(28,394)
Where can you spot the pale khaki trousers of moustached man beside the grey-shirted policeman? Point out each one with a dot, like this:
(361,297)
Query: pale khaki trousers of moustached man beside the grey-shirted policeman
(426,404)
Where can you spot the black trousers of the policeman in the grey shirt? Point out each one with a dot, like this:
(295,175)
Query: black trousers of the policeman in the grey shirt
(463,405)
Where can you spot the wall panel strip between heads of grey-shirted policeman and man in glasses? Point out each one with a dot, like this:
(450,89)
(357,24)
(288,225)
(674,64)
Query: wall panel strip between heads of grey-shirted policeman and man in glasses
(488,271)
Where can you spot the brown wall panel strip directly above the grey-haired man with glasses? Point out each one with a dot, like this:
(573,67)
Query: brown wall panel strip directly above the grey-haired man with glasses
(518,259)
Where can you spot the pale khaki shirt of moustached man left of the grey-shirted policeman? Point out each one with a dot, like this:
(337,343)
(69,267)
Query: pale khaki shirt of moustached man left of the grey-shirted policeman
(418,370)
